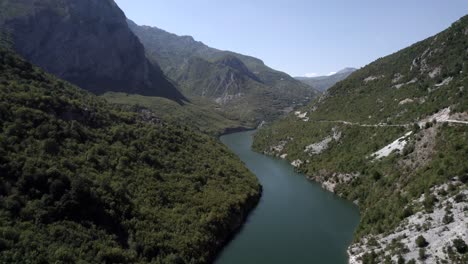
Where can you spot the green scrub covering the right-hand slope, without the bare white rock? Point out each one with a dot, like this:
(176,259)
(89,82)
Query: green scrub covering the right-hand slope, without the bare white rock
(400,89)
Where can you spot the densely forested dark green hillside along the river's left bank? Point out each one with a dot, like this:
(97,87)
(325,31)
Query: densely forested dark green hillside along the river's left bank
(85,182)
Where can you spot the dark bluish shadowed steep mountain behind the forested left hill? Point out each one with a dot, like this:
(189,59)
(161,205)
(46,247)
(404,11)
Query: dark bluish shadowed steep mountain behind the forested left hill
(85,42)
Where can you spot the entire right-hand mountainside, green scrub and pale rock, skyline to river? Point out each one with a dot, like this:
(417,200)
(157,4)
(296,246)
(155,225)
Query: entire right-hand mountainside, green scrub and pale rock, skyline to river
(393,138)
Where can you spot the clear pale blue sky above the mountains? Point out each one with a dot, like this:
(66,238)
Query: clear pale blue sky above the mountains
(302,36)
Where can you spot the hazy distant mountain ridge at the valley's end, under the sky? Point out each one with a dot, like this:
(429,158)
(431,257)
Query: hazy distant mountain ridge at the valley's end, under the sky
(243,86)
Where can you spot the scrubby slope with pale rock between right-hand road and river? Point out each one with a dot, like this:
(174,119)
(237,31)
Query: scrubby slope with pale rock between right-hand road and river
(394,189)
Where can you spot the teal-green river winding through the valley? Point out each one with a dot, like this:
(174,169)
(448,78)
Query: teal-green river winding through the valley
(296,221)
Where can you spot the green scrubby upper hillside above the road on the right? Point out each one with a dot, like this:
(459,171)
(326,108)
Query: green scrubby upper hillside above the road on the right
(429,75)
